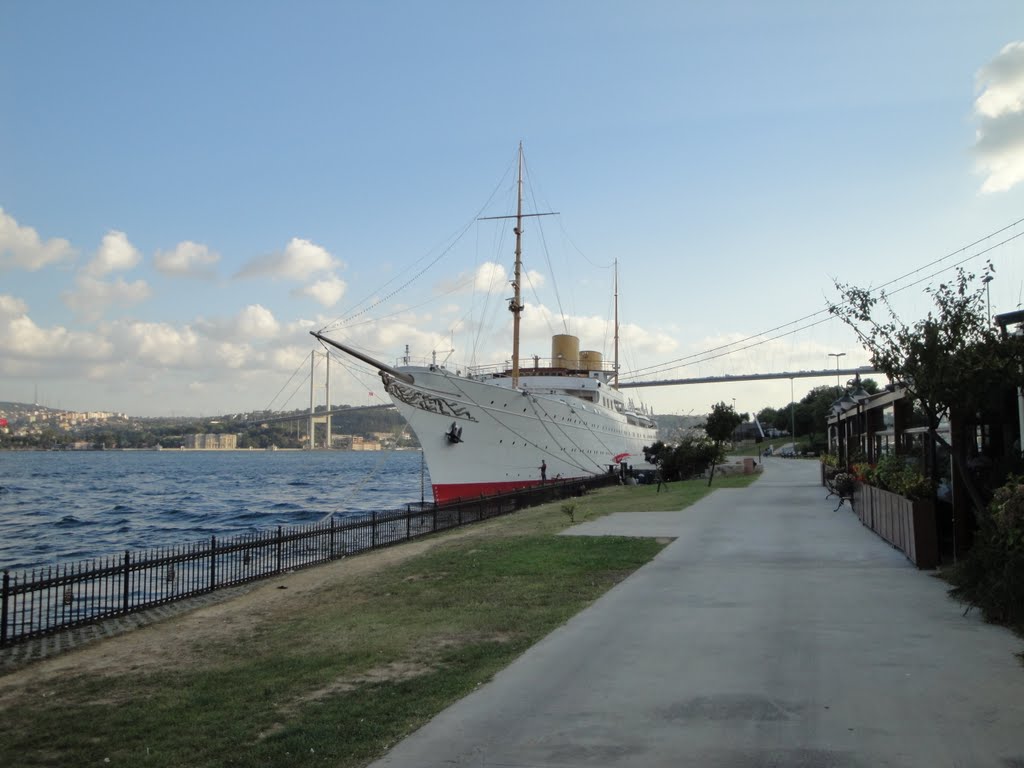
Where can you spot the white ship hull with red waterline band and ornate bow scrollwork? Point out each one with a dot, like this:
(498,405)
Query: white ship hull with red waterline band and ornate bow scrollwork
(482,438)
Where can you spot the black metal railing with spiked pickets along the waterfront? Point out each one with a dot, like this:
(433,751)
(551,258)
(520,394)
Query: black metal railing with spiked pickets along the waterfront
(46,601)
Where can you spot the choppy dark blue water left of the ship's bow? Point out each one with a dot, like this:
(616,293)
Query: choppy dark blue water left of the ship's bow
(62,507)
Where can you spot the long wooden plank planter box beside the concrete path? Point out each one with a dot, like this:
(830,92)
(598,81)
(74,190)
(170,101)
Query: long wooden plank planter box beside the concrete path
(909,526)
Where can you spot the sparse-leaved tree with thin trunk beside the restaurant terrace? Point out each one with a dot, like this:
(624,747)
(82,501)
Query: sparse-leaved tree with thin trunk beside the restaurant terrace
(951,361)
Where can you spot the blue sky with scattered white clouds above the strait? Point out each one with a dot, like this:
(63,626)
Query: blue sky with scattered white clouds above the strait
(188,189)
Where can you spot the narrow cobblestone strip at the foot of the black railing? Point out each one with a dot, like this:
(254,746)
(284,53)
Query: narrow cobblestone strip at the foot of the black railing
(21,654)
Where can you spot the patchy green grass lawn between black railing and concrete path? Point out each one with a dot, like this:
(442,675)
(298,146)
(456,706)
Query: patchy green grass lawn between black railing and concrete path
(338,673)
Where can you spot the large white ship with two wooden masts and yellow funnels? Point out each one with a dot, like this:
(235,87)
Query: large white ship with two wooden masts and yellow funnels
(489,431)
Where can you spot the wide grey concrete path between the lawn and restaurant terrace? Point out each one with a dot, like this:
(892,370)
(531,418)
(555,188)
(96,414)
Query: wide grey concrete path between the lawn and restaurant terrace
(773,632)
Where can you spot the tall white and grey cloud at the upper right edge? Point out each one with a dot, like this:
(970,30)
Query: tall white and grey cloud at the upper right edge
(1000,113)
